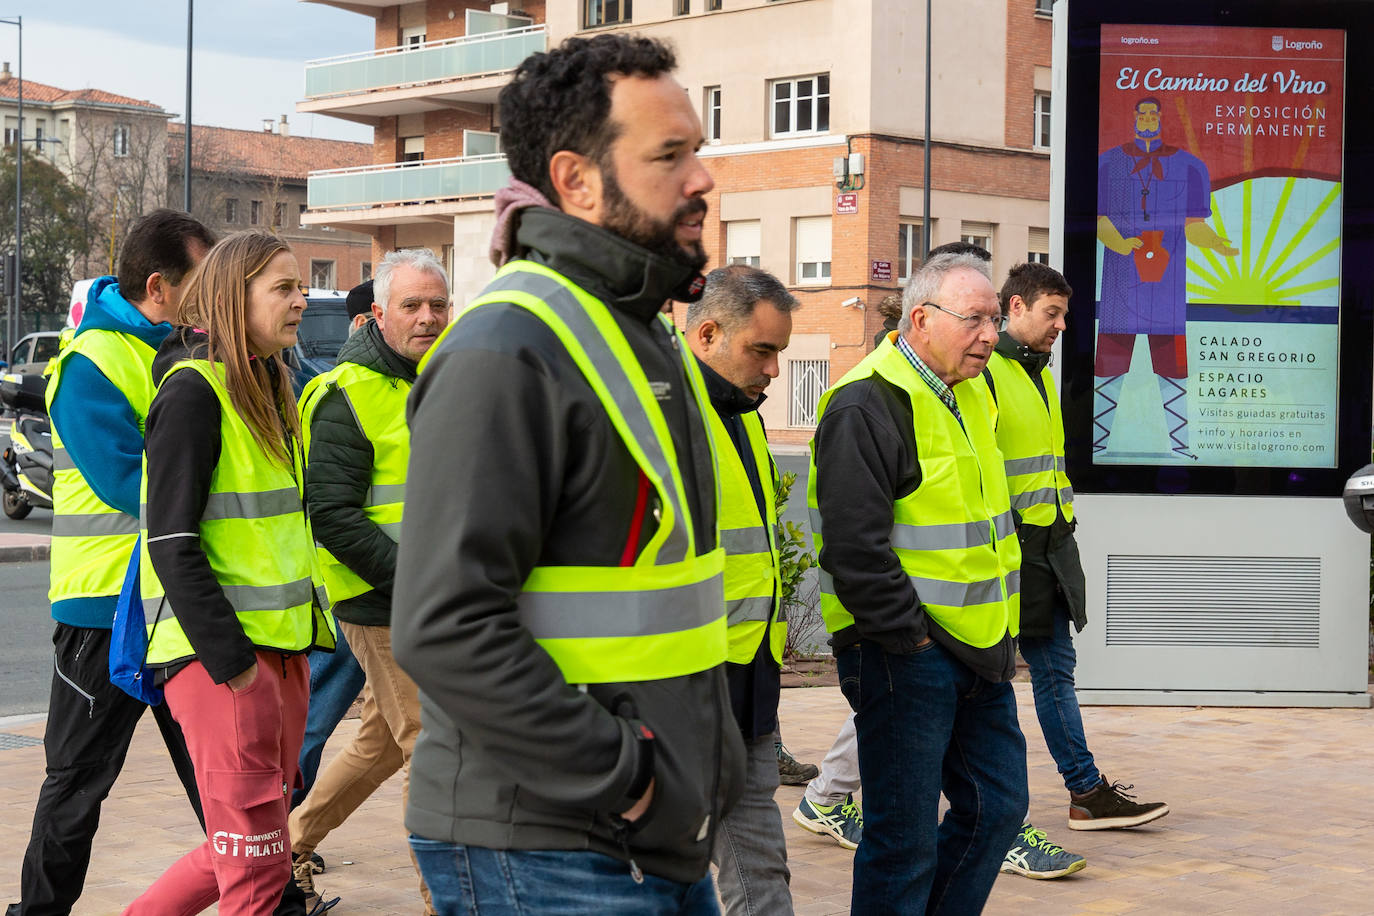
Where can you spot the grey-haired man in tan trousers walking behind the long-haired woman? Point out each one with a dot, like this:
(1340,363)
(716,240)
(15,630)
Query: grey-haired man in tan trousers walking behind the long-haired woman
(355,488)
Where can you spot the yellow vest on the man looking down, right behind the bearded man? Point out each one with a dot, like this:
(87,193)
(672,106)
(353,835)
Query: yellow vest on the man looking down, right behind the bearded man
(752,564)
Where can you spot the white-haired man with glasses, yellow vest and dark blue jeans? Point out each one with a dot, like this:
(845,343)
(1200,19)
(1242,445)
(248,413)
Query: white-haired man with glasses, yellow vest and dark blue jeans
(920,590)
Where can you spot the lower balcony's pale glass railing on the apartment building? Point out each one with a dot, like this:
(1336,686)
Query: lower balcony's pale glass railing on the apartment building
(398,185)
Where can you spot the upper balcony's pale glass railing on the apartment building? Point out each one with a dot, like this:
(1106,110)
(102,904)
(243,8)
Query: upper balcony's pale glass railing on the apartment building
(466,58)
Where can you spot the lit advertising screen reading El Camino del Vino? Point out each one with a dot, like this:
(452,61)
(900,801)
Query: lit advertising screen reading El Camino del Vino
(1219,222)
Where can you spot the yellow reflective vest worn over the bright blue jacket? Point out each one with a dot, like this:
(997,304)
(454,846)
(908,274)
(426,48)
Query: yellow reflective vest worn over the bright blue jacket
(93,540)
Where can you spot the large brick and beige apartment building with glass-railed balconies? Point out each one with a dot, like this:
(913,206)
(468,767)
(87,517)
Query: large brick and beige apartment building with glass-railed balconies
(785,90)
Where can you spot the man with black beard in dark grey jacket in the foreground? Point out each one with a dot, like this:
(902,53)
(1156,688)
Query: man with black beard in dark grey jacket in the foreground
(559,588)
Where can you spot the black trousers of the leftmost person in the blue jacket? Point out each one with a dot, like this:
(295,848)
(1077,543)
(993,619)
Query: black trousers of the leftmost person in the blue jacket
(91,723)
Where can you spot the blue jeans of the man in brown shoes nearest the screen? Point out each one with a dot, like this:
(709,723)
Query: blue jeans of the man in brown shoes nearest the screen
(1052,660)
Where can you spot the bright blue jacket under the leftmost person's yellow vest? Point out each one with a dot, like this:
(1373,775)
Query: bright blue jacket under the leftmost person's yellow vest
(100,429)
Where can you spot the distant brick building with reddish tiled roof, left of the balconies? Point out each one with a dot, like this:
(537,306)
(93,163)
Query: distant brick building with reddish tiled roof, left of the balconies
(256,179)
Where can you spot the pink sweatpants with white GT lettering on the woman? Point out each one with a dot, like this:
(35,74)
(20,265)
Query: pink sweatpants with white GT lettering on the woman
(245,748)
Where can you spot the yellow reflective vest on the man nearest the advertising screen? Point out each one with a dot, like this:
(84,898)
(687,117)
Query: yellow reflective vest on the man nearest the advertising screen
(1031,436)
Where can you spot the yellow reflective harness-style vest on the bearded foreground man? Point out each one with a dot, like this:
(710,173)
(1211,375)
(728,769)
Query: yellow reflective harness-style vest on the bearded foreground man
(666,615)
